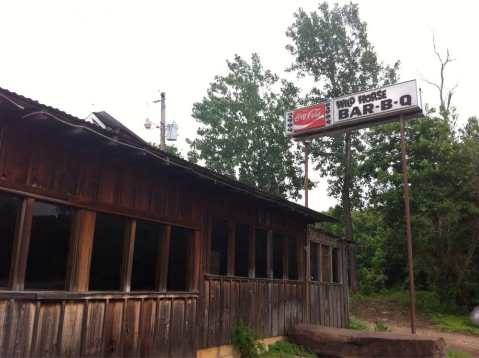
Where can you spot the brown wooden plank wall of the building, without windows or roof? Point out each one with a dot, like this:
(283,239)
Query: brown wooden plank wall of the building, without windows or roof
(44,161)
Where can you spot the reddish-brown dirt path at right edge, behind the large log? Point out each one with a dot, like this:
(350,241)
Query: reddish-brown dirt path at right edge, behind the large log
(397,319)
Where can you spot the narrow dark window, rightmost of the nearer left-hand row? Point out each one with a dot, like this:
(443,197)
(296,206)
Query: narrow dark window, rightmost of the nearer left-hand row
(180,260)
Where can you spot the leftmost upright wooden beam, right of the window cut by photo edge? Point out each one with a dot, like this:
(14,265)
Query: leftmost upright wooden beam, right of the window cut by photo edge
(21,243)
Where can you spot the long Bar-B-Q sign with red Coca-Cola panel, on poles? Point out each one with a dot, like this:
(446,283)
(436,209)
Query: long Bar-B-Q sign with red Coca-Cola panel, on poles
(359,110)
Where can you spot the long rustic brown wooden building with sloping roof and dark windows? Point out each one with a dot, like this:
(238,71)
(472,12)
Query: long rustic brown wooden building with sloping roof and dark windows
(109,247)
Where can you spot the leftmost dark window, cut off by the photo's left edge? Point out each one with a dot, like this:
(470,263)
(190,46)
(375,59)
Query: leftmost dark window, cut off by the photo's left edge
(9,209)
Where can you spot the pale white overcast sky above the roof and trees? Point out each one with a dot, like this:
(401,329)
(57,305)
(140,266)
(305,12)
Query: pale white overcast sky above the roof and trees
(86,56)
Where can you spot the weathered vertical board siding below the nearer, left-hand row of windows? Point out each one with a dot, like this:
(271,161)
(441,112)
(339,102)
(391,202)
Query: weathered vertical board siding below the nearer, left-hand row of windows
(99,327)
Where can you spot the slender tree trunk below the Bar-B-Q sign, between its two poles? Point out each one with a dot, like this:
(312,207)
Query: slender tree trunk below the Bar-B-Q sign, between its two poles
(346,201)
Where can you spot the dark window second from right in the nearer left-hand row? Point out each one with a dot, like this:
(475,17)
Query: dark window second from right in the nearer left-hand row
(146,254)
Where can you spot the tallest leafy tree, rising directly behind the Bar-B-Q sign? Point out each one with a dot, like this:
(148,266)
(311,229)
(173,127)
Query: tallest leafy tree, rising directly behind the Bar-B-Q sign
(332,47)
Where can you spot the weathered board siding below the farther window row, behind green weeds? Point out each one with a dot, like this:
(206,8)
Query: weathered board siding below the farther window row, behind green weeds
(271,307)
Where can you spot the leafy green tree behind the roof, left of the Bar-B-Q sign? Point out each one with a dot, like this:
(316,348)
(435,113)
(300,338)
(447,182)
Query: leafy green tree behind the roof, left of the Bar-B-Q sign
(241,130)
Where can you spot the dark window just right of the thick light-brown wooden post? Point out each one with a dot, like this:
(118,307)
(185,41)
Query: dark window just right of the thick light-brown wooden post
(105,270)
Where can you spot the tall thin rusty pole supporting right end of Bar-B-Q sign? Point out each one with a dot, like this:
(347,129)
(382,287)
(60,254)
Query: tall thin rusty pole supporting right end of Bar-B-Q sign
(407,216)
